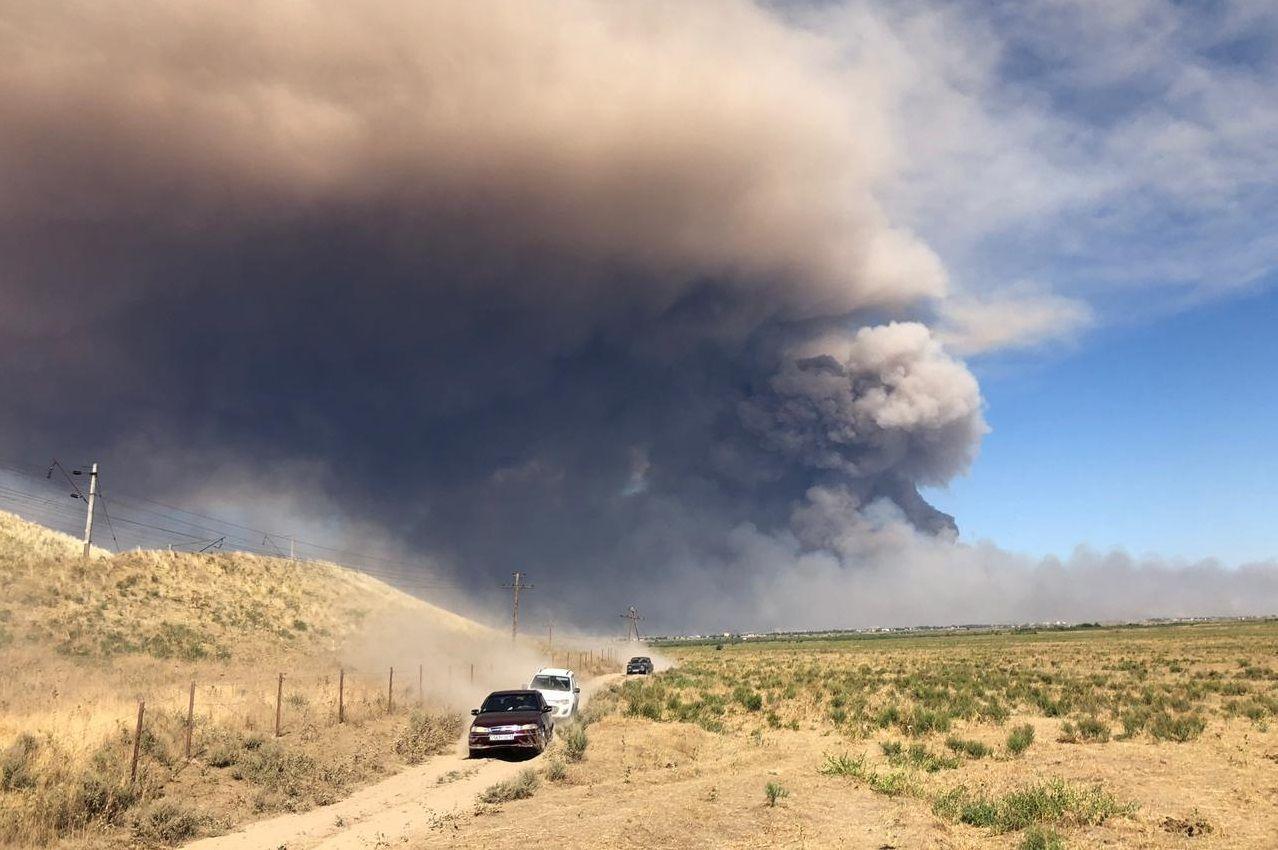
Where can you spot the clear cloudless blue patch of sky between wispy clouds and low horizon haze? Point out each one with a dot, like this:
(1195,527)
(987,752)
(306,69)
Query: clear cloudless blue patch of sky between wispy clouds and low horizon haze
(1156,438)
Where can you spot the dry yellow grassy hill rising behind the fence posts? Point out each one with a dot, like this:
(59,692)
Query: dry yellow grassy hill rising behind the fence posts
(185,607)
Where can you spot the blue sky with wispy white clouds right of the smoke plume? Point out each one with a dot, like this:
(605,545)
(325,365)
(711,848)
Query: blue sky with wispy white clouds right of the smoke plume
(1101,182)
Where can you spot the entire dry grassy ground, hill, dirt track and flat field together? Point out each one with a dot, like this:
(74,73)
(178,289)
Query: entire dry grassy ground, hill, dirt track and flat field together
(1128,738)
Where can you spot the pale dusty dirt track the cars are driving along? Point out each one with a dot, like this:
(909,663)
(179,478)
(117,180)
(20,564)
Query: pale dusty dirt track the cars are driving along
(389,814)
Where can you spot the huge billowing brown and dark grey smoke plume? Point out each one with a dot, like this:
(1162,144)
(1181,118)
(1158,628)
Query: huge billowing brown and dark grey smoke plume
(596,291)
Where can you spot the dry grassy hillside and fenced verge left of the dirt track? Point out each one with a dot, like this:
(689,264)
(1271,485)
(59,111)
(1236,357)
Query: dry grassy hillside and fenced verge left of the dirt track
(84,642)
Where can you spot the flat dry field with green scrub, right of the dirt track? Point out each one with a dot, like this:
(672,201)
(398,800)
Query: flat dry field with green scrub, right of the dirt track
(1107,738)
